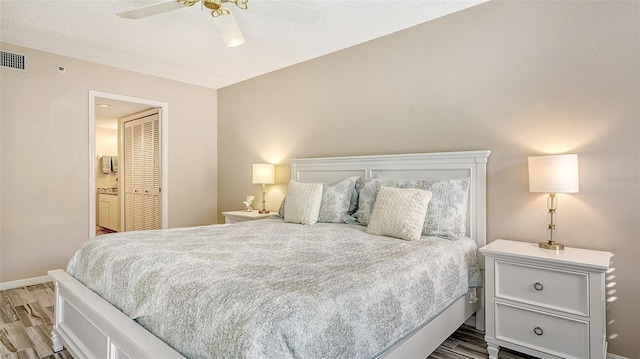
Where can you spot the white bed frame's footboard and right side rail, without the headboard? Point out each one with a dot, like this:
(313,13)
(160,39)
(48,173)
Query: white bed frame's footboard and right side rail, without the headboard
(89,327)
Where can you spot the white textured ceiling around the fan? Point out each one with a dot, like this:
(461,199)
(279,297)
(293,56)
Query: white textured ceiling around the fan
(184,44)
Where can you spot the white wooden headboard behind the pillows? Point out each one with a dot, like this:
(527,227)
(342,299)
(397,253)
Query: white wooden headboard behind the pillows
(417,166)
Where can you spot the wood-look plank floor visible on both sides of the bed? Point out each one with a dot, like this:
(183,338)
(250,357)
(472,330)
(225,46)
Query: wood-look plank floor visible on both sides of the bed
(27,315)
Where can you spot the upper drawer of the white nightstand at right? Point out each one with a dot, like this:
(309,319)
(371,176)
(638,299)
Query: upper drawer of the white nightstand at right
(556,289)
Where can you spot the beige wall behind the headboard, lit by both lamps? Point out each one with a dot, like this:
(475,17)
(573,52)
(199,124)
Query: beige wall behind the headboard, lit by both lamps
(518,78)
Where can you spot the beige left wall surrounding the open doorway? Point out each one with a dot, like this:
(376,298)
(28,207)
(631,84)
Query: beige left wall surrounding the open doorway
(45,158)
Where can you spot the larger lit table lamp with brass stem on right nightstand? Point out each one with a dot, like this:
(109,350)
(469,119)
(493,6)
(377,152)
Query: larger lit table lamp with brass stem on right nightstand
(553,174)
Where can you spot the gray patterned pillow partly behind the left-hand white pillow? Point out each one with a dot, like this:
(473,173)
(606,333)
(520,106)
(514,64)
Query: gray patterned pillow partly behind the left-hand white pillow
(336,198)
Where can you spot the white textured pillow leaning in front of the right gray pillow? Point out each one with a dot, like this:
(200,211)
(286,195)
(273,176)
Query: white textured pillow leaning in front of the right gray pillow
(399,212)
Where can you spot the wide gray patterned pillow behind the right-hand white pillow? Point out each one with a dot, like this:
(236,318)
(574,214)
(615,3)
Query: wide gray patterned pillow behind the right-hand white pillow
(447,210)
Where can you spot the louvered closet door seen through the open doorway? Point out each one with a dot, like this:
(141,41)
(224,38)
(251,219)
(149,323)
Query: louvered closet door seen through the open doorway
(142,173)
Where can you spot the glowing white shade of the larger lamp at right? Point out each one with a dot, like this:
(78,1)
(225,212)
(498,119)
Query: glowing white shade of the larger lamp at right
(554,174)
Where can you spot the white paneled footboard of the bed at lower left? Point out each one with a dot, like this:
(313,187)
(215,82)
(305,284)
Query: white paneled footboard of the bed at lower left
(89,327)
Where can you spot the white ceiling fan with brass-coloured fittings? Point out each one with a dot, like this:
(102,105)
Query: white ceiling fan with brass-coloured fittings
(224,19)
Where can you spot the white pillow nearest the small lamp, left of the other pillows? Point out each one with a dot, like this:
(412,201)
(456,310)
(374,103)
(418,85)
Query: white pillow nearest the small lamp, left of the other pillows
(303,202)
